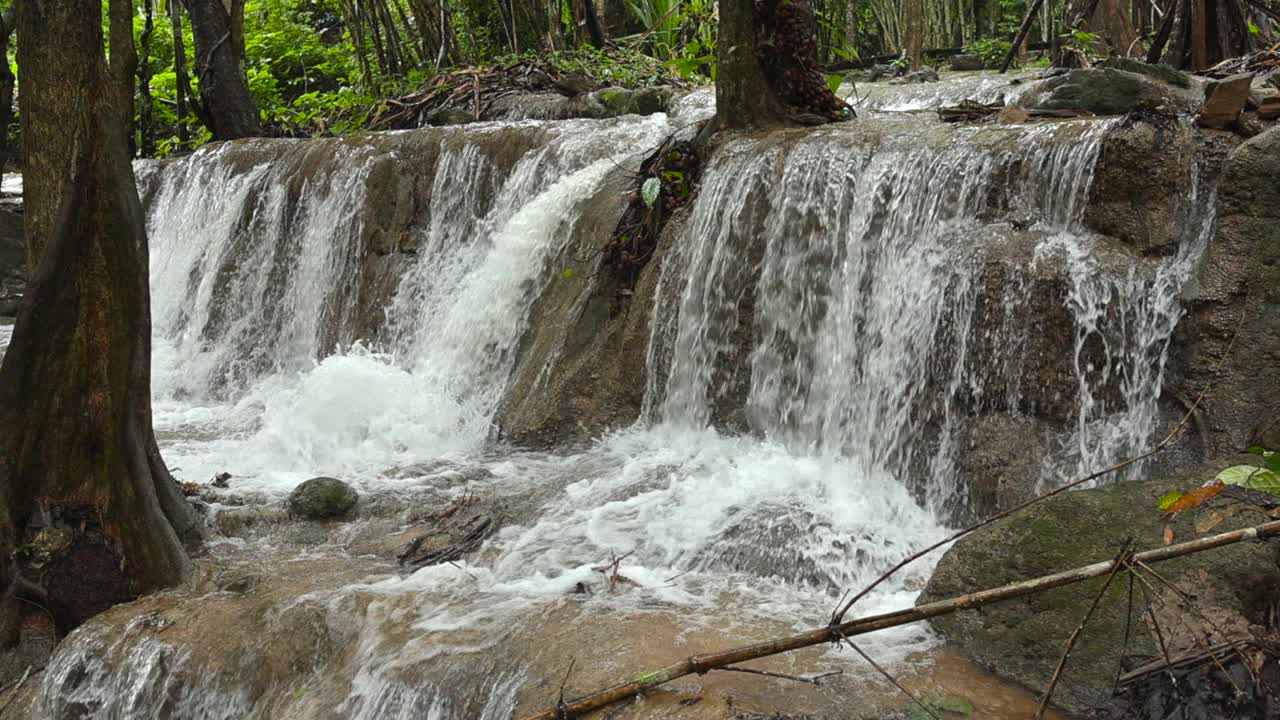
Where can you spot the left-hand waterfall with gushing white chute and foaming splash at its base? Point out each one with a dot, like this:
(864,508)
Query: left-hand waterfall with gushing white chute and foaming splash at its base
(272,285)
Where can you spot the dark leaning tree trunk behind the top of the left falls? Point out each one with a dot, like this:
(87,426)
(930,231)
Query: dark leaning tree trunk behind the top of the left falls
(230,107)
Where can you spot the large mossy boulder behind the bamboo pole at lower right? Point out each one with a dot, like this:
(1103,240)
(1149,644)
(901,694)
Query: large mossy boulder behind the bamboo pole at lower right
(1023,640)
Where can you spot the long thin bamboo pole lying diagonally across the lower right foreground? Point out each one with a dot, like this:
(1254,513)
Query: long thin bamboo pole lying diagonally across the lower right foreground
(701,664)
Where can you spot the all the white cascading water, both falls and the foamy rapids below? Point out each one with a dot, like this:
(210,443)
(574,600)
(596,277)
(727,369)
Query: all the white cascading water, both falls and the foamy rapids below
(822,302)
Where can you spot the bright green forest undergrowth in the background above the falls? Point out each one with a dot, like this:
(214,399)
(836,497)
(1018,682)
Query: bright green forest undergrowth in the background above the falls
(323,67)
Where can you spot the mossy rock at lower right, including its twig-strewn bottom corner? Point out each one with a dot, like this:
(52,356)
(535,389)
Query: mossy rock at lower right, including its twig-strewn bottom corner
(1196,601)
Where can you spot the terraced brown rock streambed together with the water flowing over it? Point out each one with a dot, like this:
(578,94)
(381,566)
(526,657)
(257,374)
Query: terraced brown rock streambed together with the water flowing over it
(852,340)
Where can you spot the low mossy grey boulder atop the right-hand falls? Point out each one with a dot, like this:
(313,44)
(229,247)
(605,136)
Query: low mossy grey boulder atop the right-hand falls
(1108,92)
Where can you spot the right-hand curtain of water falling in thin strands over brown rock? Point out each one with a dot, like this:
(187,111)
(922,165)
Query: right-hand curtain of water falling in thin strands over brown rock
(867,285)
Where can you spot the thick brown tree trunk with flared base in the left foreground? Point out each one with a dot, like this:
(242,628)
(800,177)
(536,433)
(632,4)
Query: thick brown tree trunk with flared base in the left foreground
(83,485)
